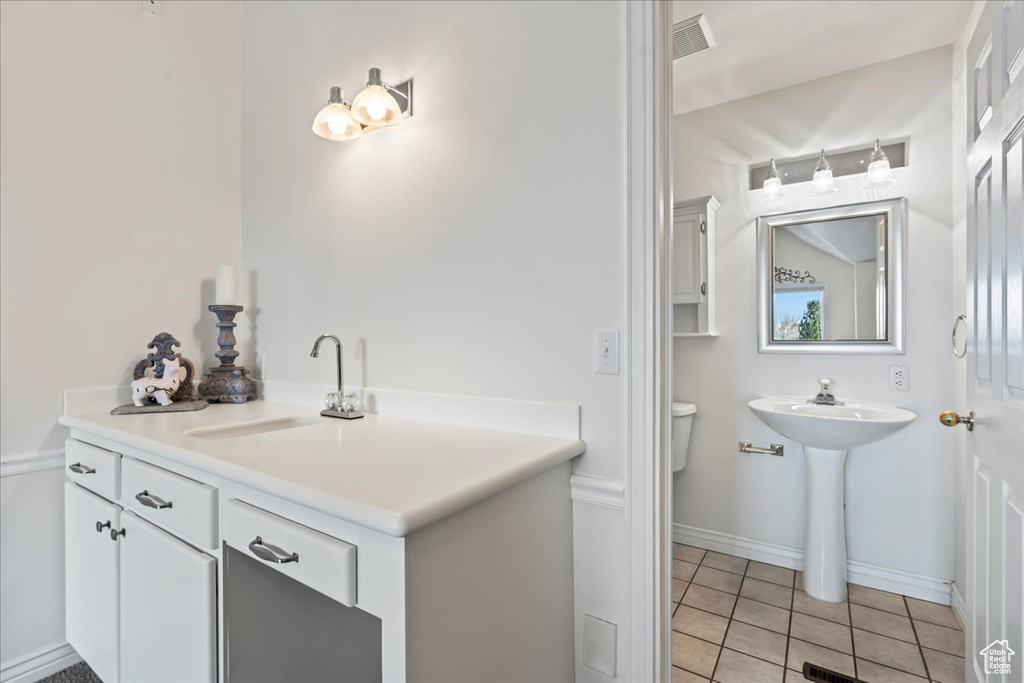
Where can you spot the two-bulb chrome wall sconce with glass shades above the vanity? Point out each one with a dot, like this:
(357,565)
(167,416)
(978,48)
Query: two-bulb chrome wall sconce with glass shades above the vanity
(377,106)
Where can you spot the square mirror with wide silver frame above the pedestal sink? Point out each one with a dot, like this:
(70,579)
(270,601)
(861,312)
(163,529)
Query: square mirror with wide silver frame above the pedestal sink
(831,281)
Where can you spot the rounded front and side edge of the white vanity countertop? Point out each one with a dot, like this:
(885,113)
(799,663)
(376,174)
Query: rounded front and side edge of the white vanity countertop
(378,520)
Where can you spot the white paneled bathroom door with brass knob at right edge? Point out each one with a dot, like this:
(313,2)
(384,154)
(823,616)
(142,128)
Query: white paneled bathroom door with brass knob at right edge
(996,369)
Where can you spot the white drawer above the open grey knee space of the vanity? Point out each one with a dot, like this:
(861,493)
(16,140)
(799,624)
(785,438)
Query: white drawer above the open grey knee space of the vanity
(320,562)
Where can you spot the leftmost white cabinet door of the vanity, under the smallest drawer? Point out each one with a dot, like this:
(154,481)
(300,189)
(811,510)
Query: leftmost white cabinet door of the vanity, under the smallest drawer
(92,579)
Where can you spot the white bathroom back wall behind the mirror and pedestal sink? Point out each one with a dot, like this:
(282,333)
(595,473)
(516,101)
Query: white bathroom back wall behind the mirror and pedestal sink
(900,491)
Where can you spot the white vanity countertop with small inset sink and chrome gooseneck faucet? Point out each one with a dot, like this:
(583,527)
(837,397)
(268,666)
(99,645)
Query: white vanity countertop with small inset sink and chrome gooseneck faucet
(394,476)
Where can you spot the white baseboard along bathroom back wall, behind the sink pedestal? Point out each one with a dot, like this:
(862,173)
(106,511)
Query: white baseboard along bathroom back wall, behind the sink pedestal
(863,574)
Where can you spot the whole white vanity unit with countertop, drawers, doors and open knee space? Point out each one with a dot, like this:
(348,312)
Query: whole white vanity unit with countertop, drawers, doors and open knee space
(388,550)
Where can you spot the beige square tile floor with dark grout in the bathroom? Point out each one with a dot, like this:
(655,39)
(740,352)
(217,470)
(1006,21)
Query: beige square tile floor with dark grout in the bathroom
(737,621)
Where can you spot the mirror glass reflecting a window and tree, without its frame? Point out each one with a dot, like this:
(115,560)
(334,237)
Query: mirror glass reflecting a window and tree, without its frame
(829,280)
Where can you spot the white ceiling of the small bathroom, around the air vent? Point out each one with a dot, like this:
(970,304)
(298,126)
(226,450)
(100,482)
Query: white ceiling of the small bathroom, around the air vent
(764,46)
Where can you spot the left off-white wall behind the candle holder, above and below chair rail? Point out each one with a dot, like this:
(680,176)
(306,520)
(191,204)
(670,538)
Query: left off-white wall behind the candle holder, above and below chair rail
(120,195)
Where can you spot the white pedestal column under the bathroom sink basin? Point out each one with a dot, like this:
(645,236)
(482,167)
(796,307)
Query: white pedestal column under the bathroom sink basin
(825,533)
